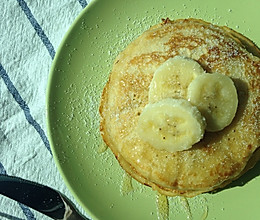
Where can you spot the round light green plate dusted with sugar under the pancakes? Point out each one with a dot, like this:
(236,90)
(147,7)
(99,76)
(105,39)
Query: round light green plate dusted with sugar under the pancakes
(78,75)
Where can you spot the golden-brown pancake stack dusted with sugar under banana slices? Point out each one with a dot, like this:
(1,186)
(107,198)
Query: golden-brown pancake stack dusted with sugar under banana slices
(220,157)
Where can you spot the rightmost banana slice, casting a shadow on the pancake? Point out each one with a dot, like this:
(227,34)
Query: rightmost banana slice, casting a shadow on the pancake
(215,96)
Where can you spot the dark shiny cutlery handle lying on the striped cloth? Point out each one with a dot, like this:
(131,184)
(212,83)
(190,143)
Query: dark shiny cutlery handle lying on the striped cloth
(39,197)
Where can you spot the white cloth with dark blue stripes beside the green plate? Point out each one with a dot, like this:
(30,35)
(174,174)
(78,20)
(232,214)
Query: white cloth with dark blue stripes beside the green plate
(30,33)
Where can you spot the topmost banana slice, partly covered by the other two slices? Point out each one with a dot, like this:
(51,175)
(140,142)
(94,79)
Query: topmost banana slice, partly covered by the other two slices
(173,77)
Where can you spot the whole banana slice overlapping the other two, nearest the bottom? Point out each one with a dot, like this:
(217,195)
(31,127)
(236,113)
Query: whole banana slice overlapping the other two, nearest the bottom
(171,124)
